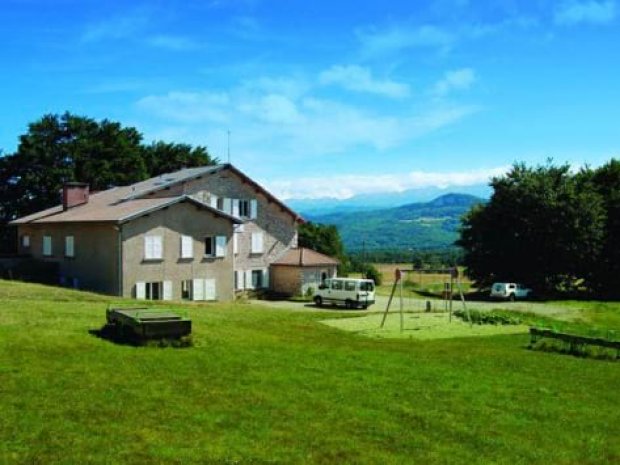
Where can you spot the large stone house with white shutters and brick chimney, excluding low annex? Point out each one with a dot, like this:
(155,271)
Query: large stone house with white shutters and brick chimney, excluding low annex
(198,234)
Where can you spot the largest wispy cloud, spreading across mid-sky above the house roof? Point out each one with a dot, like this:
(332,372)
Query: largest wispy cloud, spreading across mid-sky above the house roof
(300,126)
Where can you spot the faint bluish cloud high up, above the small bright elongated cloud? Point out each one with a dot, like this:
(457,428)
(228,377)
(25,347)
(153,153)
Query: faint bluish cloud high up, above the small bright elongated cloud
(377,42)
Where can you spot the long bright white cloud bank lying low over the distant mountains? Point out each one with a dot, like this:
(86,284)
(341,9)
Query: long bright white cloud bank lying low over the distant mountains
(347,186)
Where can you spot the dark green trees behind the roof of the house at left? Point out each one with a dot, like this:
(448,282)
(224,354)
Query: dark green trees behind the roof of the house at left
(63,148)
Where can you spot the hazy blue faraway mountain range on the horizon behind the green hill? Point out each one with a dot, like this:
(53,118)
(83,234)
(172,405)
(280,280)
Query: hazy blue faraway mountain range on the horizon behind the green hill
(365,202)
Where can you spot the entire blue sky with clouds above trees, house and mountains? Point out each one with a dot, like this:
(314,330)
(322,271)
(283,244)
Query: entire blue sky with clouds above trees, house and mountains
(329,98)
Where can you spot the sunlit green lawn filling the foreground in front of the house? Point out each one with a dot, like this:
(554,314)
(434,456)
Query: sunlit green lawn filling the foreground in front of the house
(275,386)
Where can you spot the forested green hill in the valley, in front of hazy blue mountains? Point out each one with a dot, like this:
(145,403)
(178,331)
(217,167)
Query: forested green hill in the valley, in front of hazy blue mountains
(421,225)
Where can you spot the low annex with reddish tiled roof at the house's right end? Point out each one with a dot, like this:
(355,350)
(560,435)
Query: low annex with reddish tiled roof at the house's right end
(300,269)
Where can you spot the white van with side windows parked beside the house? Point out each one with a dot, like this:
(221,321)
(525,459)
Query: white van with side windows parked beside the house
(352,293)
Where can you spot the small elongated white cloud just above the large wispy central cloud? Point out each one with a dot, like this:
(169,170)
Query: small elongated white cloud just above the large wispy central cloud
(360,79)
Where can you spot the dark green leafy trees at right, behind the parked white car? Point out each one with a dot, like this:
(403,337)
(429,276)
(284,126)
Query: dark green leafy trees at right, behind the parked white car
(548,227)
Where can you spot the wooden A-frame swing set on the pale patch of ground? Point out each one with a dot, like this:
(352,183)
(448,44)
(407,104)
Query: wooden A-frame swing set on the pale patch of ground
(448,292)
